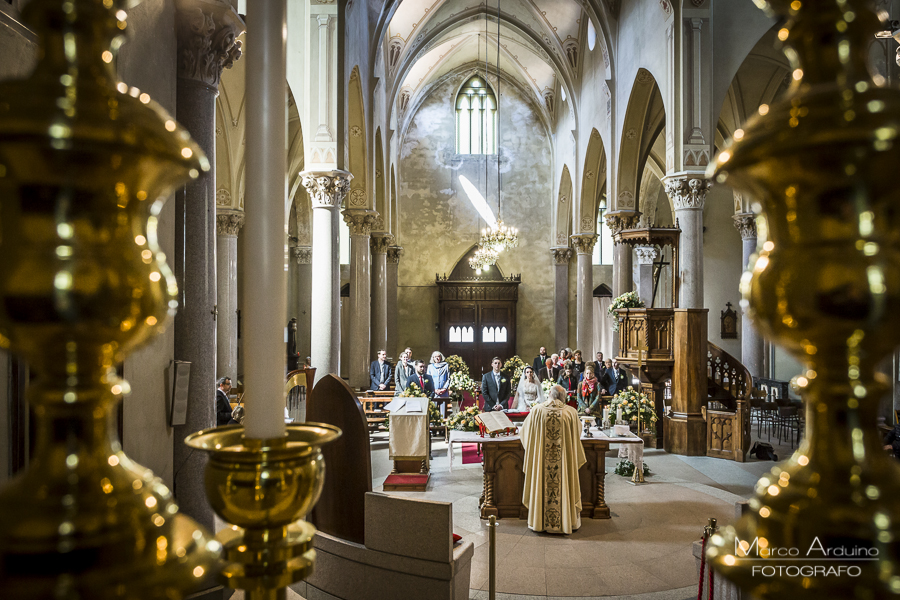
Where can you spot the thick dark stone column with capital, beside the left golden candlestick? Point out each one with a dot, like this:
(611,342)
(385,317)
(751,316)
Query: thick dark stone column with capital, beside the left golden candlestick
(206,32)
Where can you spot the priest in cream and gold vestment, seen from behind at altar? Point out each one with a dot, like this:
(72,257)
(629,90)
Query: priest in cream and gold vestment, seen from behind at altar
(551,436)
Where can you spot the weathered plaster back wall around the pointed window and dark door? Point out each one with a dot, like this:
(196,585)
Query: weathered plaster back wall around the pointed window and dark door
(439,223)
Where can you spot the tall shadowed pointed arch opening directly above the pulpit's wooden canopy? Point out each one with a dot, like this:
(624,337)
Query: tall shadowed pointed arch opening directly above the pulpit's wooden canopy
(638,134)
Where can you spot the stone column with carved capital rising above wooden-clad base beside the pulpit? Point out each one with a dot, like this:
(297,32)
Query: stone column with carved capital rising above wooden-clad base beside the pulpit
(688,195)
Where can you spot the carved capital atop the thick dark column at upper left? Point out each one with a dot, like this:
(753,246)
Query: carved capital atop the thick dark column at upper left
(207,39)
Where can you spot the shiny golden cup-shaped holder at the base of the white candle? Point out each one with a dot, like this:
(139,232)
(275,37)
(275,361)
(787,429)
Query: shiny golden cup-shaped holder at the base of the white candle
(263,488)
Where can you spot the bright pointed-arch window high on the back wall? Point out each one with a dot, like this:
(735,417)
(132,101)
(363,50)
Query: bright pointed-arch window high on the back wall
(476,118)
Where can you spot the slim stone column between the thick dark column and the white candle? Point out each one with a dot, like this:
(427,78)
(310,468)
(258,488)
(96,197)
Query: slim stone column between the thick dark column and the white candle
(228,223)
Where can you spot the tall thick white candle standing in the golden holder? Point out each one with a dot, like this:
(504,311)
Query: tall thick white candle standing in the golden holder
(263,276)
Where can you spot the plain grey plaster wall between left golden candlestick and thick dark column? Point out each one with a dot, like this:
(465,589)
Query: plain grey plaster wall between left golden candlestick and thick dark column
(147,61)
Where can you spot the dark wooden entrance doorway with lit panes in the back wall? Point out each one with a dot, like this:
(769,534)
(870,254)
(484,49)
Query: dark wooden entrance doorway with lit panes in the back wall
(478,314)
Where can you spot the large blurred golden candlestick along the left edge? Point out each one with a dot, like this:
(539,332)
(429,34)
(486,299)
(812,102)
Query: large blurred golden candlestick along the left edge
(85,164)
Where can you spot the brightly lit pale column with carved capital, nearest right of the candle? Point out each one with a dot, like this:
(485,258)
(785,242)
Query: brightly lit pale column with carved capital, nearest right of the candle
(327,190)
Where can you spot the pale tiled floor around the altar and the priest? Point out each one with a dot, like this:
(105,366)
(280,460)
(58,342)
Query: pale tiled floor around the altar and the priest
(644,550)
